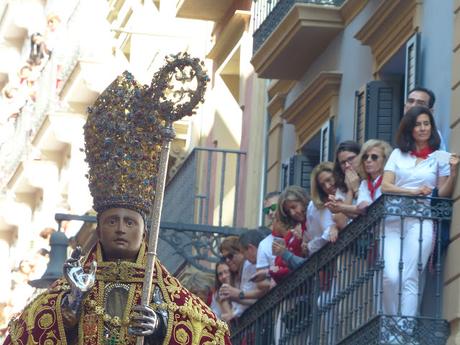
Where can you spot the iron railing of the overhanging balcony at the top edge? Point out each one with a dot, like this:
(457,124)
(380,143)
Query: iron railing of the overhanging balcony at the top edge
(268,14)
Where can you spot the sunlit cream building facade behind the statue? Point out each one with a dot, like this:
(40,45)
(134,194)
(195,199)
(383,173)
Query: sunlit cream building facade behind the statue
(56,58)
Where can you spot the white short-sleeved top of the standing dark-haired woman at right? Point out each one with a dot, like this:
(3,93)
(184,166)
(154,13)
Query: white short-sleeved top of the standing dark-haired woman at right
(410,175)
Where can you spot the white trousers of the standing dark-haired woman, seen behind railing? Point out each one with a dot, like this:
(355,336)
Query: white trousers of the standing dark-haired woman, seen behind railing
(411,257)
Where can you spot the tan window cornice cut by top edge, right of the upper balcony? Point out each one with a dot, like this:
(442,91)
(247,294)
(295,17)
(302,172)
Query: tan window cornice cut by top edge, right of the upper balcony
(391,25)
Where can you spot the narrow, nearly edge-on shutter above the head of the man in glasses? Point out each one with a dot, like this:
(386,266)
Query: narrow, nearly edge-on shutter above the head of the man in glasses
(412,68)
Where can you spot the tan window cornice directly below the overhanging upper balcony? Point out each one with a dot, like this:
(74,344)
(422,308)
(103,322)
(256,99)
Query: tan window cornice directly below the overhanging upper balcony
(316,103)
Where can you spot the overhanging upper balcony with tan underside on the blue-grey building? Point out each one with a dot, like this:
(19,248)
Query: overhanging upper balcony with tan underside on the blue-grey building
(293,31)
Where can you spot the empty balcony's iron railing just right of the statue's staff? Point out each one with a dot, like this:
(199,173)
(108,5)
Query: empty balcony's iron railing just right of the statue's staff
(200,207)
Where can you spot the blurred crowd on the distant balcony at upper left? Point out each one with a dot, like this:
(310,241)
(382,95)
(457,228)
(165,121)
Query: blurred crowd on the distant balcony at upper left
(22,90)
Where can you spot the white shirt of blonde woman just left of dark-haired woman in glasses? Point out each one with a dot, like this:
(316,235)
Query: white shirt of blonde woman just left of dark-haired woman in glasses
(319,223)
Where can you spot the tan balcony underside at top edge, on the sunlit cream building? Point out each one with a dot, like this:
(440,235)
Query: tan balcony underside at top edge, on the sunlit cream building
(203,9)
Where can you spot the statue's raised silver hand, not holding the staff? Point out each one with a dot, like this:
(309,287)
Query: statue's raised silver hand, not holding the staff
(76,276)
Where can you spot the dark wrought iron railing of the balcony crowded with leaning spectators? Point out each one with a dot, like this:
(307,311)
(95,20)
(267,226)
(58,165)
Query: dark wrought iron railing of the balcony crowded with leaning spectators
(340,294)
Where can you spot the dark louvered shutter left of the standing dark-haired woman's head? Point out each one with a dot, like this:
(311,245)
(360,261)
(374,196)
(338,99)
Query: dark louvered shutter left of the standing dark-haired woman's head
(383,110)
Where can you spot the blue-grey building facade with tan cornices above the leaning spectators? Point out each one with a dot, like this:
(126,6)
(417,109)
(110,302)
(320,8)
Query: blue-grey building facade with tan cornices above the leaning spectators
(341,70)
